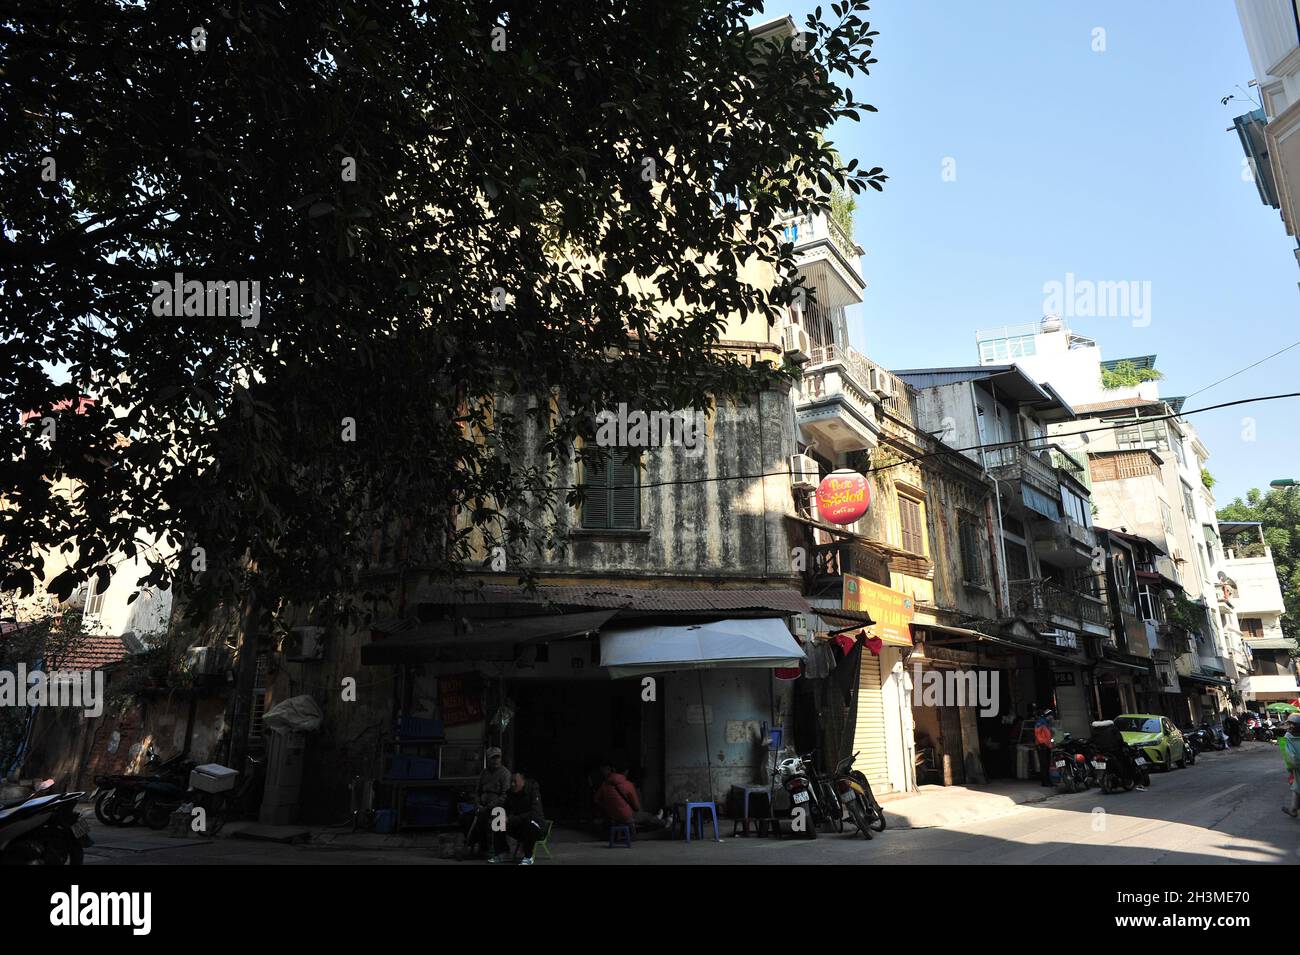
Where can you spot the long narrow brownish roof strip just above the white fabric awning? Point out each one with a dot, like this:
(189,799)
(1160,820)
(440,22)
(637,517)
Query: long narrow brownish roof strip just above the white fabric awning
(623,598)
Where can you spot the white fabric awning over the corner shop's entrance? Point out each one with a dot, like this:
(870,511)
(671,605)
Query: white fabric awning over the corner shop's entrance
(743,644)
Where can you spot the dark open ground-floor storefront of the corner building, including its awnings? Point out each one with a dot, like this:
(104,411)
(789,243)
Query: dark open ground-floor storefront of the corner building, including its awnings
(679,698)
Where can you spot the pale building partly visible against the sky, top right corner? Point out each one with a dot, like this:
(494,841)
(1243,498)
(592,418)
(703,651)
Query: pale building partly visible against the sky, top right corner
(1271,136)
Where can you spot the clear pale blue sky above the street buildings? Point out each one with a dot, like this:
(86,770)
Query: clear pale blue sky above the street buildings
(1112,166)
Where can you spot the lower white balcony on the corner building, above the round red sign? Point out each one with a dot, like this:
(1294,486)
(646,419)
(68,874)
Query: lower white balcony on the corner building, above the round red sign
(835,406)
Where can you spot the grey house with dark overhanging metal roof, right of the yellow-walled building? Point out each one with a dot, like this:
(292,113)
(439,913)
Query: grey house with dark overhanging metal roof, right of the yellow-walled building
(1051,602)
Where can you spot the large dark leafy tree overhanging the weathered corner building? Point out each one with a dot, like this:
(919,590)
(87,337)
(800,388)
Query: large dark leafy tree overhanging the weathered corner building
(398,211)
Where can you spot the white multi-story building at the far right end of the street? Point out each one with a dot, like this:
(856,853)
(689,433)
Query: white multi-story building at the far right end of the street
(1253,585)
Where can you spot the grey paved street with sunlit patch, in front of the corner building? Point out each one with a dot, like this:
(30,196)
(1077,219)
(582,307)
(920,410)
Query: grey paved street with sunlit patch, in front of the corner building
(1224,810)
